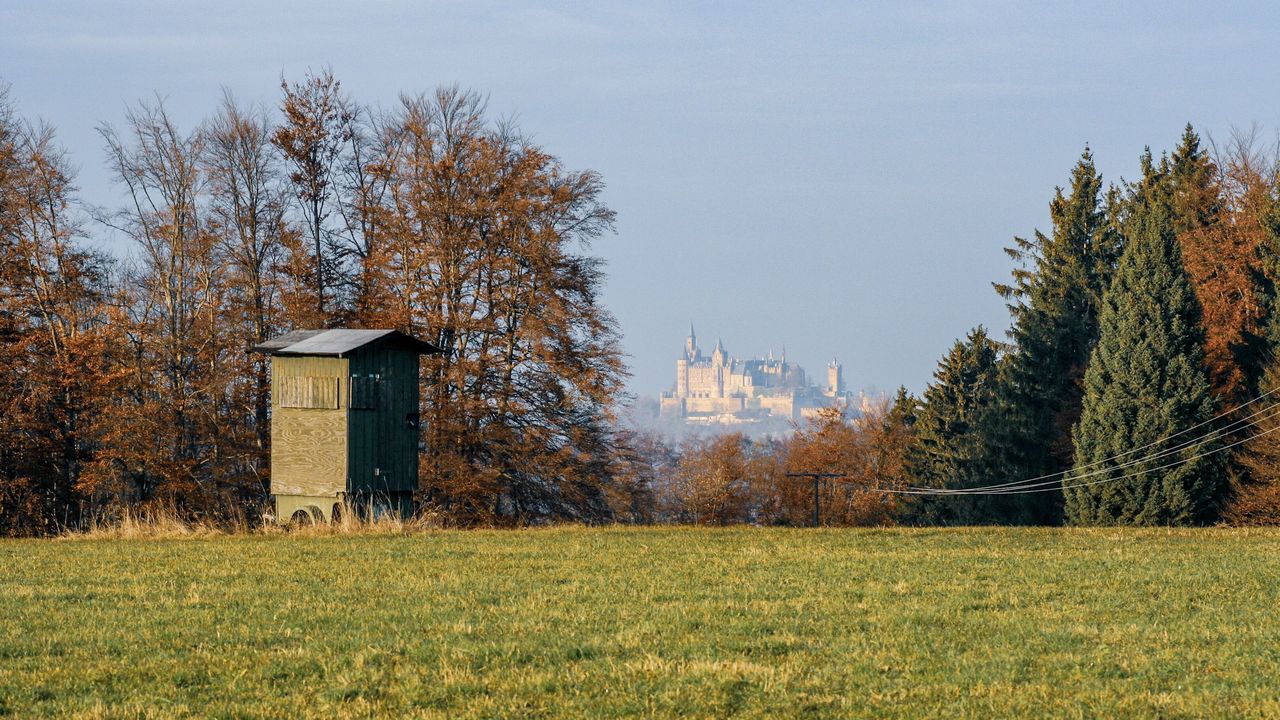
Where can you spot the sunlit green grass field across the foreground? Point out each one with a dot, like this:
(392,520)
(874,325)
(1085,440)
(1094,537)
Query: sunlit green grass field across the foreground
(970,623)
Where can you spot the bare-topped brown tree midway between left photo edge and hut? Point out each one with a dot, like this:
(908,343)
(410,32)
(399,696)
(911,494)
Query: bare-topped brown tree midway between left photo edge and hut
(167,438)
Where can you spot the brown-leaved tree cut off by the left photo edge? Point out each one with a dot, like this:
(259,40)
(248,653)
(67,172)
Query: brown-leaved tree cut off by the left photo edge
(53,334)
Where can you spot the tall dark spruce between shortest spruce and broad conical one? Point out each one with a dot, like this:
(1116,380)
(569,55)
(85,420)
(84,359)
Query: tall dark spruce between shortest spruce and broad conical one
(1054,302)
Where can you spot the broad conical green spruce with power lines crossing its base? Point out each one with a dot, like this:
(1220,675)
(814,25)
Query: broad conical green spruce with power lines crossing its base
(1146,381)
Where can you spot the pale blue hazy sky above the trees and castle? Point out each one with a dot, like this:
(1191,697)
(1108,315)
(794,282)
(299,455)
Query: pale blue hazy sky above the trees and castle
(835,179)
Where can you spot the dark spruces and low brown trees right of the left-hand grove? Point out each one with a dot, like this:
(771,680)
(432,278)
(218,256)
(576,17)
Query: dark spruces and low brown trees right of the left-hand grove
(1140,382)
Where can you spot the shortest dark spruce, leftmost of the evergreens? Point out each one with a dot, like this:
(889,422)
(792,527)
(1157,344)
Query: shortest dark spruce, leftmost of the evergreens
(953,445)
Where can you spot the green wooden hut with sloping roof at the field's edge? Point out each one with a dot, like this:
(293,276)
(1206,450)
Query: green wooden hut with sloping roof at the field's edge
(345,422)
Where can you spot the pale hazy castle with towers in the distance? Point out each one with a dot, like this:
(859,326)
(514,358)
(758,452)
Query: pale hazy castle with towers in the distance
(725,391)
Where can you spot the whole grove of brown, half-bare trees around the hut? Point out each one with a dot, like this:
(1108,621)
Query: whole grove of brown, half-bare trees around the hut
(127,377)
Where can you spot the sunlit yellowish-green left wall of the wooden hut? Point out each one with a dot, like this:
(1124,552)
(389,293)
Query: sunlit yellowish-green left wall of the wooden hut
(309,446)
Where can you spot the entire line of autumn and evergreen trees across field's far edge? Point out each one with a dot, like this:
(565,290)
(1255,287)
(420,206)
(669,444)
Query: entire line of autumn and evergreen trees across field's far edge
(1148,309)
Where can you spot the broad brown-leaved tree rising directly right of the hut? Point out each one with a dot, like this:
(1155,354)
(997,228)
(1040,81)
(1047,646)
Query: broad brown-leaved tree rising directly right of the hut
(479,248)
